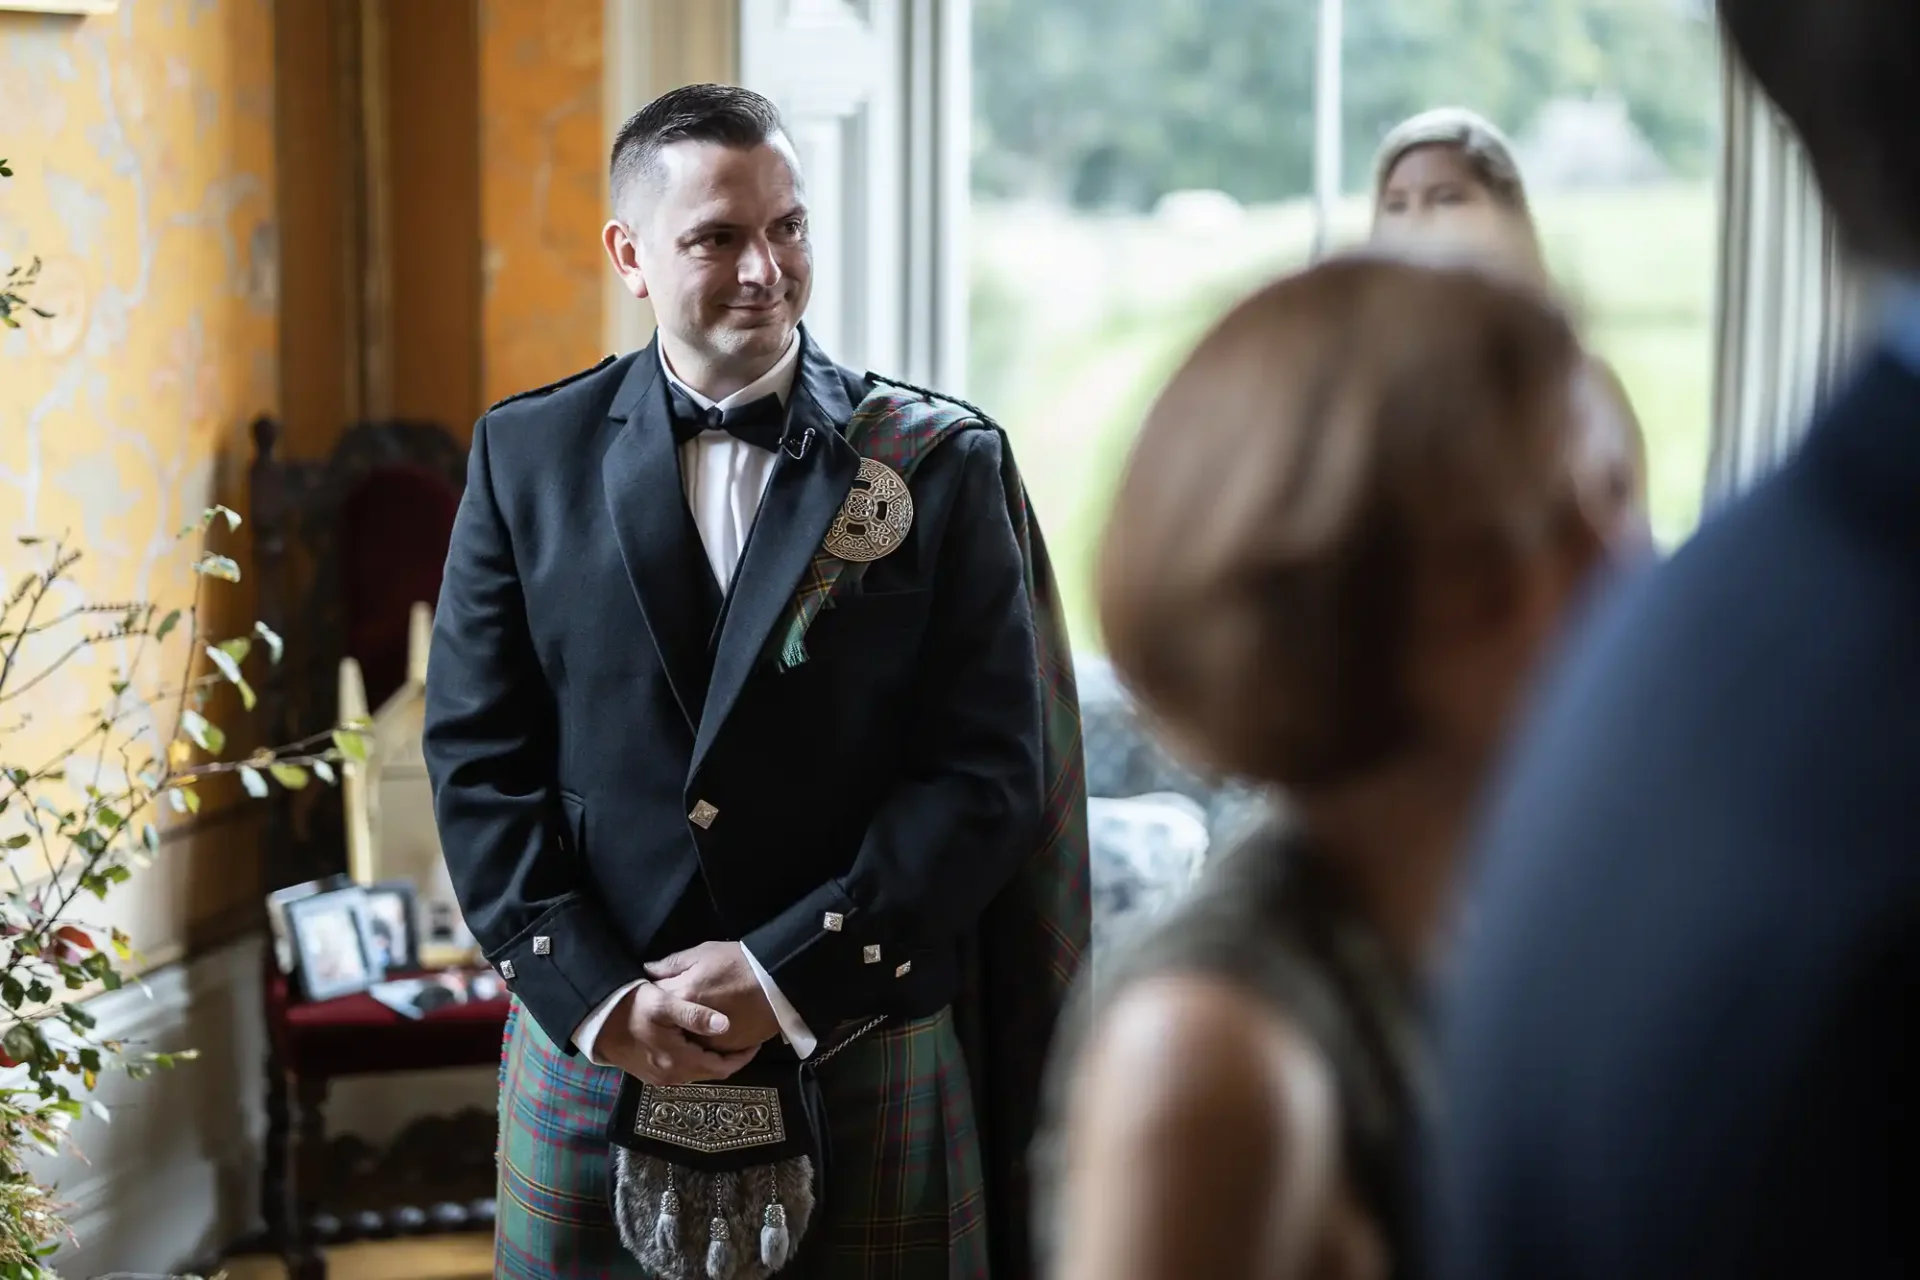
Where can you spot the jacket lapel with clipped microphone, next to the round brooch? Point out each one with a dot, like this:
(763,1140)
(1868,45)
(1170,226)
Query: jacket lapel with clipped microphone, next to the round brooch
(802,502)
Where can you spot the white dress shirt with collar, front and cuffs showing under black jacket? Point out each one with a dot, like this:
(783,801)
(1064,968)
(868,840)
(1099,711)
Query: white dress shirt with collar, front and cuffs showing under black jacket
(725,481)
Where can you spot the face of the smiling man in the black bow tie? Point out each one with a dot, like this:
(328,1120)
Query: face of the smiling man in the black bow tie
(723,252)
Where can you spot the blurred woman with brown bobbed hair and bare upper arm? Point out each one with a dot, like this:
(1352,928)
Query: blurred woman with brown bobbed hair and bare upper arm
(1347,533)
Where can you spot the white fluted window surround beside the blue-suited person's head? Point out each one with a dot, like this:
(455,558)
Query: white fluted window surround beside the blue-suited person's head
(1790,306)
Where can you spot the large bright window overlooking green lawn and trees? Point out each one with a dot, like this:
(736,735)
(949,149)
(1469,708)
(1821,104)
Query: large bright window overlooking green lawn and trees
(1140,166)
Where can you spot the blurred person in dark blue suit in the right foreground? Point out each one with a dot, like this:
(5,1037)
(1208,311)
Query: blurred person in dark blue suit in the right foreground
(1683,1033)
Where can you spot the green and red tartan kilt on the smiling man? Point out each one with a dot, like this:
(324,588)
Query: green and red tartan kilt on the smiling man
(907,1197)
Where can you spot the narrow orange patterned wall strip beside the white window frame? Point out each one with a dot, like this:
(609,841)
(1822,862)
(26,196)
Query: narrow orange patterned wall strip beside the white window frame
(542,204)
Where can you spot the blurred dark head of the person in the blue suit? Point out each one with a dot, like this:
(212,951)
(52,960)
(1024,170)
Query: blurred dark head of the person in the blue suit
(1848,76)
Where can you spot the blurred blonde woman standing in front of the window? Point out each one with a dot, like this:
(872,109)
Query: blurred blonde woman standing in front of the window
(1447,187)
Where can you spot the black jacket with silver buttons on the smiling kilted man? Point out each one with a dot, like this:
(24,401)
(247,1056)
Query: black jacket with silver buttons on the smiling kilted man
(610,740)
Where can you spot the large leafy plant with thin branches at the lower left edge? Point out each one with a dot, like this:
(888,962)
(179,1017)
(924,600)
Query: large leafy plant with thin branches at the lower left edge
(93,834)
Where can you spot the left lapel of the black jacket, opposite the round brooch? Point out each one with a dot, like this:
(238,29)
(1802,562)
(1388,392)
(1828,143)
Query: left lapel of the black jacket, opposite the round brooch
(663,552)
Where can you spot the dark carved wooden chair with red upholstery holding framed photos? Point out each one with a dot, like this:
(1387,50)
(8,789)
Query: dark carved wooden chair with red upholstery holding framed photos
(343,548)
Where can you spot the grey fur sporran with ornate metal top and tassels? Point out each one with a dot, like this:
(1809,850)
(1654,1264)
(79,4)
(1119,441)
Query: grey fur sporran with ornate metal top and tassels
(721,1181)
